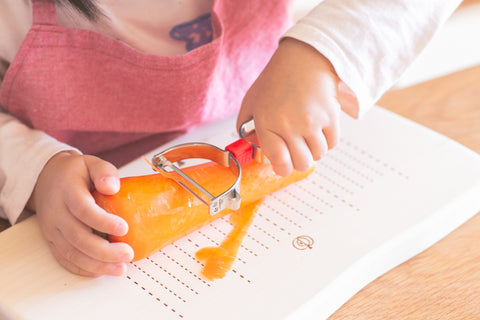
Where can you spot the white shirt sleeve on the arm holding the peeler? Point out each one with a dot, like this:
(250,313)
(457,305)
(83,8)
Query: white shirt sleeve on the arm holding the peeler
(371,43)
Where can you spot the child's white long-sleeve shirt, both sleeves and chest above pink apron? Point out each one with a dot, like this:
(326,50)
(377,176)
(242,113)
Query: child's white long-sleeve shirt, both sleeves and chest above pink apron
(369,42)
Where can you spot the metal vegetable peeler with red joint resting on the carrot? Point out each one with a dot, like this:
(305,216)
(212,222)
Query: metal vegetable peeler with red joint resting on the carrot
(234,156)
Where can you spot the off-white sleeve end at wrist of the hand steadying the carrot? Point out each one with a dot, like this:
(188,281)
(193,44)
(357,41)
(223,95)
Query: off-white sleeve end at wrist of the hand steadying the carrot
(23,153)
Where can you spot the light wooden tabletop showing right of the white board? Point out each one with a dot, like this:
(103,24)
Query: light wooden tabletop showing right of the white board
(442,282)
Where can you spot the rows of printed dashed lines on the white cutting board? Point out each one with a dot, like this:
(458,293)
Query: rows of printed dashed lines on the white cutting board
(172,278)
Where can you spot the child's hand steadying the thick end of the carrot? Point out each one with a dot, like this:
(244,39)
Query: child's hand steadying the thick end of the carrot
(67,213)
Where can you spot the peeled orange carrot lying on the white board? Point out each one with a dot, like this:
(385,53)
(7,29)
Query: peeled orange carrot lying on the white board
(159,211)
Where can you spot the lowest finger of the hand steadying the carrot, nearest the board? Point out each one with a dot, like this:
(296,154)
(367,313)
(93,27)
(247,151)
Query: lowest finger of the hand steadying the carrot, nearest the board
(78,262)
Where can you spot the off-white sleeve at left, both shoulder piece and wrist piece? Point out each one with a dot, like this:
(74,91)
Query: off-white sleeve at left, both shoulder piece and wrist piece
(23,151)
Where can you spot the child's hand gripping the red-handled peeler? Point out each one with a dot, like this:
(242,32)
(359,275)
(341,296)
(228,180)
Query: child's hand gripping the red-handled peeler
(295,108)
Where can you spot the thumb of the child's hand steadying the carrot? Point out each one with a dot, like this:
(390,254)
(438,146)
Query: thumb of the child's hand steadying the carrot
(103,174)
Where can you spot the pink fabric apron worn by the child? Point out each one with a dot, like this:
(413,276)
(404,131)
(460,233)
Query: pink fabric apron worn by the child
(106,98)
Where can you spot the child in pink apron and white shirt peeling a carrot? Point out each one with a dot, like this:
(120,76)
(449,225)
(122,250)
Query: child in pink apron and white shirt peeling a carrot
(86,86)
